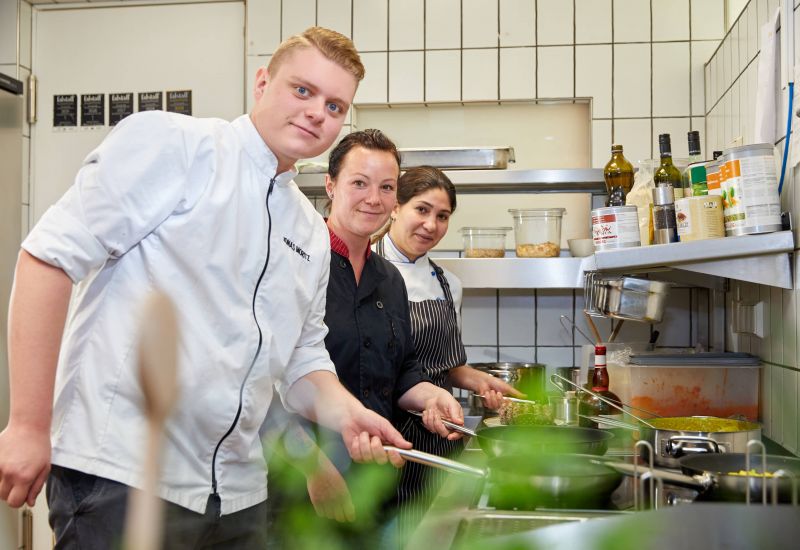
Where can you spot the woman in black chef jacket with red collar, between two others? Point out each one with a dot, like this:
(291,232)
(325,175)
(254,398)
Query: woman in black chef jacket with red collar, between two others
(369,338)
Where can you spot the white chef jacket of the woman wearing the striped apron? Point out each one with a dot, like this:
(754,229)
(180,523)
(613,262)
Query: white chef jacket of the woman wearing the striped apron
(420,278)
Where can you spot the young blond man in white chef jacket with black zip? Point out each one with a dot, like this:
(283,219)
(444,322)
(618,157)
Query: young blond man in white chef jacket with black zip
(207,211)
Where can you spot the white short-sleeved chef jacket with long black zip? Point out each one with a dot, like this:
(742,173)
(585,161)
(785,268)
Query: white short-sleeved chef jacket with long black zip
(180,204)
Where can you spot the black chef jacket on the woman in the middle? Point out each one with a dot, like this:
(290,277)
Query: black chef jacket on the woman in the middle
(369,338)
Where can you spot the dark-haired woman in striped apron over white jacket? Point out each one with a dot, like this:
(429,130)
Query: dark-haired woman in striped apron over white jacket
(426,198)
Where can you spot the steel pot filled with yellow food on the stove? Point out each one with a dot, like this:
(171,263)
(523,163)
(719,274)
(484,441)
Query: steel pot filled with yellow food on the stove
(671,445)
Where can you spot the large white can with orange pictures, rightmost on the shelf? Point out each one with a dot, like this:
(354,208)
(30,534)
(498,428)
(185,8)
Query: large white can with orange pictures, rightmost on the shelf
(750,190)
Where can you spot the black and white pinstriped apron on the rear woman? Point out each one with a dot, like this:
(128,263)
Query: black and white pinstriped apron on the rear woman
(437,341)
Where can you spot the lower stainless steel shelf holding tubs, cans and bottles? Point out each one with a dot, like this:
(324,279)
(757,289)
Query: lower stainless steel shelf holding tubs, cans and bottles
(762,259)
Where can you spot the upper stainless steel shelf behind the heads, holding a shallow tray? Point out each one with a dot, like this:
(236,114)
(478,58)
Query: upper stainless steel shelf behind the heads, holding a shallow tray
(584,180)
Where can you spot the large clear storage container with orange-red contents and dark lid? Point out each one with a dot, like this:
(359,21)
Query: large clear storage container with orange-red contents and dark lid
(703,384)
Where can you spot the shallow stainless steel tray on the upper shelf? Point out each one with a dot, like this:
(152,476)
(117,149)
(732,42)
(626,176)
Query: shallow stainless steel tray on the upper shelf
(457,158)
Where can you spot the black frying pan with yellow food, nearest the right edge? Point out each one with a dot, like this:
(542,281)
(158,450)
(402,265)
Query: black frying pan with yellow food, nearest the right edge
(710,474)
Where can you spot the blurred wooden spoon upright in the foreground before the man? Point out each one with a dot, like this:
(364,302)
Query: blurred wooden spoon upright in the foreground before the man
(158,353)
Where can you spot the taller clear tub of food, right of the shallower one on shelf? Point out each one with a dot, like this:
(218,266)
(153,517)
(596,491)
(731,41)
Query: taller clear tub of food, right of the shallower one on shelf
(537,232)
